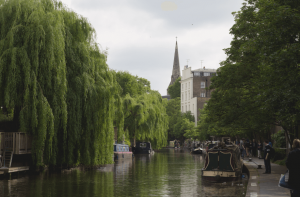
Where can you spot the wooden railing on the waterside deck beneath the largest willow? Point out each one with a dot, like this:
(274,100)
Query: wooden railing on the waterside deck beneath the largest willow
(18,142)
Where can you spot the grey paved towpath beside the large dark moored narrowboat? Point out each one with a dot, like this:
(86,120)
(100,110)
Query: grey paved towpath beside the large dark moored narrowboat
(264,185)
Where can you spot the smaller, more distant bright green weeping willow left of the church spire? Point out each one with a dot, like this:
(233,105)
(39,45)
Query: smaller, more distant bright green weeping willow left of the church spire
(144,110)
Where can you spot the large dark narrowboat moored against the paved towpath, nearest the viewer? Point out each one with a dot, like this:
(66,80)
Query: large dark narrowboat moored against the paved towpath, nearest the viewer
(222,163)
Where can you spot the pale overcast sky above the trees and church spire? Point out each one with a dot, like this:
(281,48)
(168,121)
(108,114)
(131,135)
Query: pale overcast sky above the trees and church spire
(140,35)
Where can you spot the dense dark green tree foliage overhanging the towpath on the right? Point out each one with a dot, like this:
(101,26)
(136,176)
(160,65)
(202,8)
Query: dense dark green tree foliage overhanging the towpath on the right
(257,85)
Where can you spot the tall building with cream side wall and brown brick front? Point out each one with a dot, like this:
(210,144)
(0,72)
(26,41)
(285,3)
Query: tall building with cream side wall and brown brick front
(194,89)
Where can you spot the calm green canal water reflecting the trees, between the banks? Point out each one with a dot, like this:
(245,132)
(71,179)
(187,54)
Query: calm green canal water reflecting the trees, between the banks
(168,172)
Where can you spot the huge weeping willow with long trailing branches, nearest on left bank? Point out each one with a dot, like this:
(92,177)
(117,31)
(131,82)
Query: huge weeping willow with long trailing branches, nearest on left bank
(55,78)
